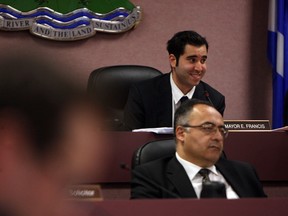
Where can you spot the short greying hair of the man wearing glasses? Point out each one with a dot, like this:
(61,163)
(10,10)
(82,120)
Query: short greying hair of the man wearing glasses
(181,114)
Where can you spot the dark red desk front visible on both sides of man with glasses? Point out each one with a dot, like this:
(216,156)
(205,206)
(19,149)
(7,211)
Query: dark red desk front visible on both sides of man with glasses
(267,151)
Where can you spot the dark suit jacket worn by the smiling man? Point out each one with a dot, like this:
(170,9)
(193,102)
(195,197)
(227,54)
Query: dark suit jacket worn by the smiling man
(149,103)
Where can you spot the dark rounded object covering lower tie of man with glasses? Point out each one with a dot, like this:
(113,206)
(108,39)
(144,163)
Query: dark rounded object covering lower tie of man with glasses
(213,189)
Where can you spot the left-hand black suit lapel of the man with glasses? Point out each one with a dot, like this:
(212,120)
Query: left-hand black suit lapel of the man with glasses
(179,179)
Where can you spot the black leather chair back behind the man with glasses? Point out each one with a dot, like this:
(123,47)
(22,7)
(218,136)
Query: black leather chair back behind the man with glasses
(152,151)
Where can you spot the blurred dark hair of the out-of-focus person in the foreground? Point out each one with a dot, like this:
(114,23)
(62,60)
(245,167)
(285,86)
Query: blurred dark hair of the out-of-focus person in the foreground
(37,95)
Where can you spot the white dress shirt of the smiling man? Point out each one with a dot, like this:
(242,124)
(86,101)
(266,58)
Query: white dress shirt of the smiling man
(177,94)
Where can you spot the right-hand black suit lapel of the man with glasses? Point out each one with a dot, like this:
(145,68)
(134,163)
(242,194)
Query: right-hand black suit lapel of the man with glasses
(230,176)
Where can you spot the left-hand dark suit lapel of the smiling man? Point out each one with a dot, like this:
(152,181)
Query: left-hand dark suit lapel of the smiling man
(164,101)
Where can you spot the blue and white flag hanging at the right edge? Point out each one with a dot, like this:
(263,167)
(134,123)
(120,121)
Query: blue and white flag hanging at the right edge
(278,56)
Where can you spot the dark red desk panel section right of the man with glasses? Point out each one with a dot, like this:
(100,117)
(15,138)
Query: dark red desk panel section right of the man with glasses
(266,151)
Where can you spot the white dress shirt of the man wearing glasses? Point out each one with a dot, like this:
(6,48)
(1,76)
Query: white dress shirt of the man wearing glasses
(196,179)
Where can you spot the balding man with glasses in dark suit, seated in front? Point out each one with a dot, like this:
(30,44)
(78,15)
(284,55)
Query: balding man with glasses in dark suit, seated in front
(199,133)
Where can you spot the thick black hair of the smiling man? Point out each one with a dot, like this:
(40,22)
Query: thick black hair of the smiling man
(176,45)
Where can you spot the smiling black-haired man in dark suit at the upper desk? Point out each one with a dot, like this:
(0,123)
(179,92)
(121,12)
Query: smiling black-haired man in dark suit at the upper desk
(152,103)
